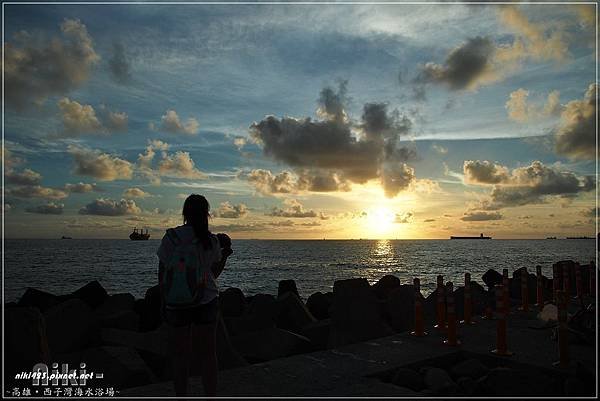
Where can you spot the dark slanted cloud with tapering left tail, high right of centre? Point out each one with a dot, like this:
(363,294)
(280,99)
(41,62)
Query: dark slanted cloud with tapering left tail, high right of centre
(464,66)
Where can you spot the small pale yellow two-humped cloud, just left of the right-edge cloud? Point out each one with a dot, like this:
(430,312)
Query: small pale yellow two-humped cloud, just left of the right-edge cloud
(521,110)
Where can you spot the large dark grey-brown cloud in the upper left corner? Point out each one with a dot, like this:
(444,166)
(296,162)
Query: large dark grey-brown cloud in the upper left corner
(36,68)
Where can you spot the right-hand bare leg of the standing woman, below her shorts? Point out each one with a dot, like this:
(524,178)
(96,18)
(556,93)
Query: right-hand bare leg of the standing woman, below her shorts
(204,336)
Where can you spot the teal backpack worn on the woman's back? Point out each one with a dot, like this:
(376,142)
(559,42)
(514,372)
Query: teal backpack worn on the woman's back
(184,276)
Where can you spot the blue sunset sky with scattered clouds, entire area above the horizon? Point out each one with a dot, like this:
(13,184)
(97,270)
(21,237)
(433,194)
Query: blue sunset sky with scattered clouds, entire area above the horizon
(301,121)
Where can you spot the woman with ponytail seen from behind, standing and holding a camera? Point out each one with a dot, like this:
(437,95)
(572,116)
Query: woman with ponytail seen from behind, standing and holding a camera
(192,328)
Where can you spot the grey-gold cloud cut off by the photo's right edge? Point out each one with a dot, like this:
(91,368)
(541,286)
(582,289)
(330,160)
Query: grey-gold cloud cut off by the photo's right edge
(576,133)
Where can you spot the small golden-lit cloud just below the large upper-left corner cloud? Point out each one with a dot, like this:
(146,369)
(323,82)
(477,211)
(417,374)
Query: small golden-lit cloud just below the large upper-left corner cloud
(81,119)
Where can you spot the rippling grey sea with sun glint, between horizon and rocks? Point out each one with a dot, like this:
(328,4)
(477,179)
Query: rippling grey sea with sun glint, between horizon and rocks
(61,266)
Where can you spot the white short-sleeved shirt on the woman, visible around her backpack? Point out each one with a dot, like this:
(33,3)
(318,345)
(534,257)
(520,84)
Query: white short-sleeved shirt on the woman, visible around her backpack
(212,256)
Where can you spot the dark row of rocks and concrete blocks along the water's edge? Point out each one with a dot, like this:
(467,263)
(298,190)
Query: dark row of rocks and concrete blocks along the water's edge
(125,338)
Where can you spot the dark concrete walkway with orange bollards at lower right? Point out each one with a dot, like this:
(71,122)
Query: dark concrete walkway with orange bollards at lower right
(348,371)
